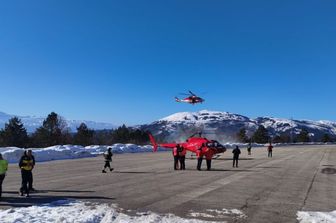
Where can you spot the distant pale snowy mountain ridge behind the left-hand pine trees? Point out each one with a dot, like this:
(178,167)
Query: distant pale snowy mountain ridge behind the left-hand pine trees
(31,123)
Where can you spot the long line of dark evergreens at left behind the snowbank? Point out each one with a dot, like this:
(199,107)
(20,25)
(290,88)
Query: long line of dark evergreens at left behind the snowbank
(54,131)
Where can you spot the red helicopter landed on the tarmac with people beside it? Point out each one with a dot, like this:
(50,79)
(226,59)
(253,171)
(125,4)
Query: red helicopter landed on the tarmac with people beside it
(202,146)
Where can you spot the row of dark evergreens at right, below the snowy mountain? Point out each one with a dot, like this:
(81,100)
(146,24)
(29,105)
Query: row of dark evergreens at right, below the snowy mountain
(261,135)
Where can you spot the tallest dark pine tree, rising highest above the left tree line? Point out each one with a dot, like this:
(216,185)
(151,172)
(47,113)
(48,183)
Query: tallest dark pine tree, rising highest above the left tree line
(53,131)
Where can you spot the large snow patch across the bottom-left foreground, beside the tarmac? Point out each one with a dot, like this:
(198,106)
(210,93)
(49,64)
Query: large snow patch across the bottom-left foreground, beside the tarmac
(84,212)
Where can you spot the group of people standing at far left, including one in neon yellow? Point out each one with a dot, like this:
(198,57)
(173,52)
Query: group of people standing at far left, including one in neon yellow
(26,165)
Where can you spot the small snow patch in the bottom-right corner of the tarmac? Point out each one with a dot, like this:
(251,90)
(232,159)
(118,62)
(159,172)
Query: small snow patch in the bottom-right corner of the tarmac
(316,217)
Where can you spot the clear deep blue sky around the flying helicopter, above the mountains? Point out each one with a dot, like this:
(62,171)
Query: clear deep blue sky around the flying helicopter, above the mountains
(125,61)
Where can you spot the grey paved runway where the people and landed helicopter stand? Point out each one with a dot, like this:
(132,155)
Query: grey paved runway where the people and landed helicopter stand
(265,189)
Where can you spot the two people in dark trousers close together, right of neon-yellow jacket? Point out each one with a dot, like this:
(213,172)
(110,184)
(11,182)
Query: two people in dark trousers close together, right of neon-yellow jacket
(26,164)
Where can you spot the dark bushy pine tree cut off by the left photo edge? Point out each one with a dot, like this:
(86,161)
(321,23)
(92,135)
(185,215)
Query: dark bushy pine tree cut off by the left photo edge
(14,134)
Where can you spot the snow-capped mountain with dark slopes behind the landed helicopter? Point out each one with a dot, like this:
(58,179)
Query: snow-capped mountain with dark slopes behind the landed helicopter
(224,126)
